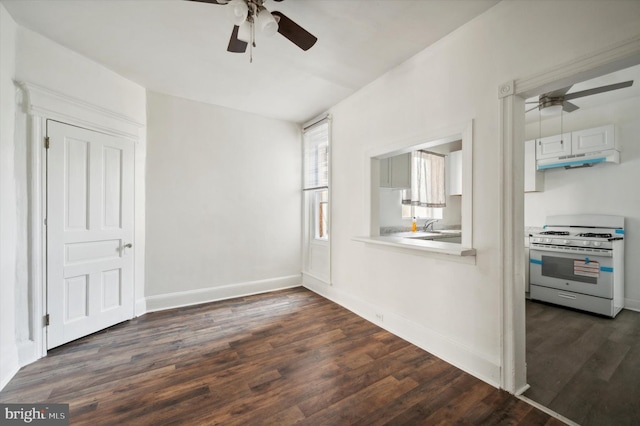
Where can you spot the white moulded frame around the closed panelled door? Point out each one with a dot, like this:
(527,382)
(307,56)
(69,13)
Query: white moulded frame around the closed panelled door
(37,104)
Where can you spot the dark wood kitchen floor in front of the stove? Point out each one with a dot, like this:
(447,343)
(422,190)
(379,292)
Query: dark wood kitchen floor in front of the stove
(583,366)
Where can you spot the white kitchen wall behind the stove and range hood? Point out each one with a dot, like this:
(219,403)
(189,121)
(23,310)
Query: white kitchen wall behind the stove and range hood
(601,189)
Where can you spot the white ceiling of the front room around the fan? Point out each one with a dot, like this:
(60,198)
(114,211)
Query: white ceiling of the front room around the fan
(179,47)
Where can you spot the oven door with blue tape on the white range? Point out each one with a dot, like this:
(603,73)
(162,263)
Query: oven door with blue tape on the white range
(584,273)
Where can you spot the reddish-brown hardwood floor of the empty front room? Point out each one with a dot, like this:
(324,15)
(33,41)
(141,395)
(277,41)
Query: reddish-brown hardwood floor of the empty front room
(279,358)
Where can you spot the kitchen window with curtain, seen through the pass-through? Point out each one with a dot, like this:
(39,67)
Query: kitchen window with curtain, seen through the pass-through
(427,196)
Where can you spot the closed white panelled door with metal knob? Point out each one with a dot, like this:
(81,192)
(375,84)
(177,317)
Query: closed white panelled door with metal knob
(89,232)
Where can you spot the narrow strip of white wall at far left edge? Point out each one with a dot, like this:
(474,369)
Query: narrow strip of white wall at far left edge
(8,198)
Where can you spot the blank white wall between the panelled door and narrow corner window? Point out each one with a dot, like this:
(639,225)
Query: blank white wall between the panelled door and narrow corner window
(223,203)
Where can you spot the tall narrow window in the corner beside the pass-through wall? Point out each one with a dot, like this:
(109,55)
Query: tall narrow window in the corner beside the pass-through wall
(316,176)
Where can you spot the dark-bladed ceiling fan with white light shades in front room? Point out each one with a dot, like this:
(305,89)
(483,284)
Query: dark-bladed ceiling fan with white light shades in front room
(249,16)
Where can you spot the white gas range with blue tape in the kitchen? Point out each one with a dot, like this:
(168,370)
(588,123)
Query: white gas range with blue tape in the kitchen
(578,262)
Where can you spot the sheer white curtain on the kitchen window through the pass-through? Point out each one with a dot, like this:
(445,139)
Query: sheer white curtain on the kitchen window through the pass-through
(427,180)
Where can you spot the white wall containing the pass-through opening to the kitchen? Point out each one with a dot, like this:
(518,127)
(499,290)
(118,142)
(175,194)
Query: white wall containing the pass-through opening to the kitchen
(450,308)
